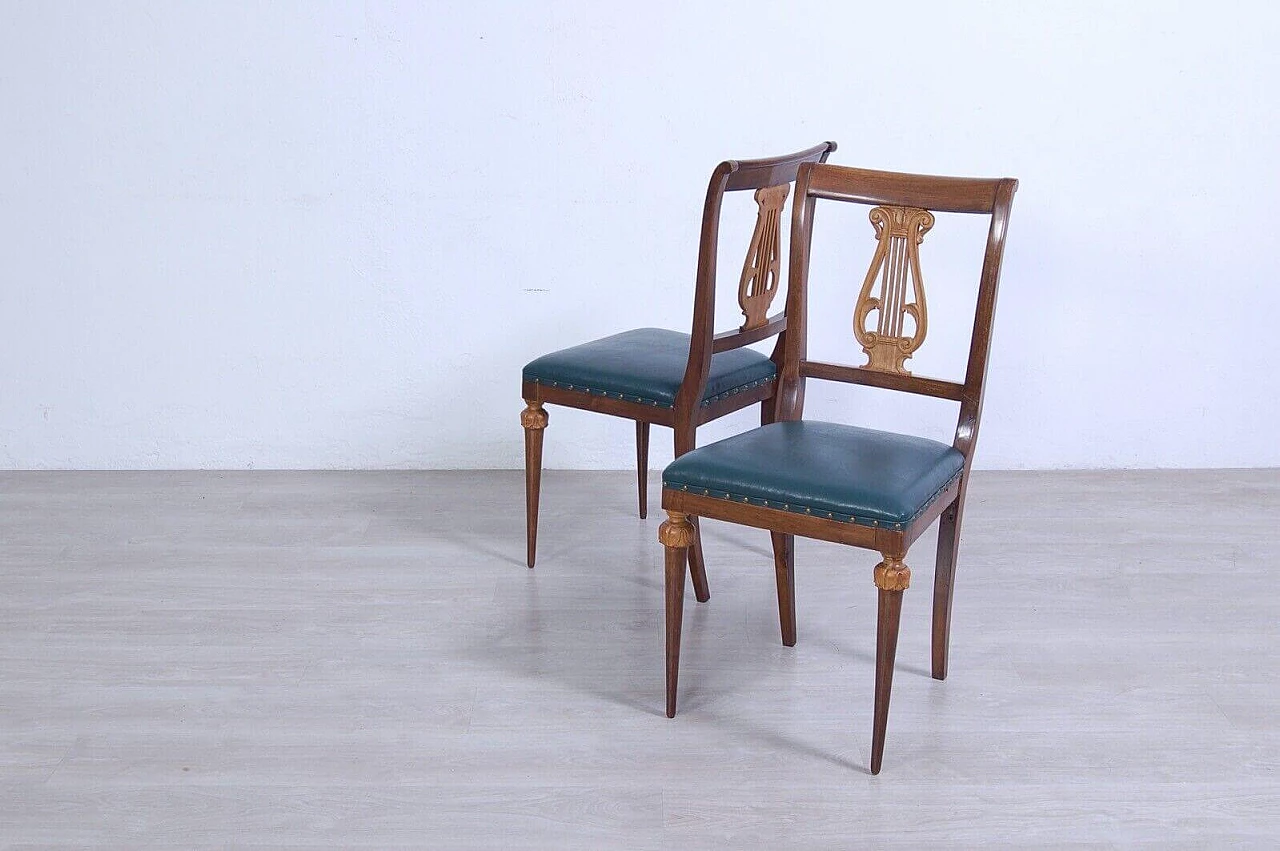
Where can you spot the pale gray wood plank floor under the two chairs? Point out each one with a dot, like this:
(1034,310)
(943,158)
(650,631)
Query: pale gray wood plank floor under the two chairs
(328,660)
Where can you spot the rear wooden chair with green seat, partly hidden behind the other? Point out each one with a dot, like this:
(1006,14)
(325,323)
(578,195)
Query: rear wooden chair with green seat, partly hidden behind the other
(666,378)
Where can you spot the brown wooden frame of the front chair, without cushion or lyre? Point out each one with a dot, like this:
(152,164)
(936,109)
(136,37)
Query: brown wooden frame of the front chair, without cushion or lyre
(838,184)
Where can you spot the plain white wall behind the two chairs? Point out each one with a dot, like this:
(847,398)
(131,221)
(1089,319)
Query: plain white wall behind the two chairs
(303,236)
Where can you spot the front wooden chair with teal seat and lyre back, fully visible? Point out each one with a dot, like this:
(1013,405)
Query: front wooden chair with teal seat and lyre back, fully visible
(838,483)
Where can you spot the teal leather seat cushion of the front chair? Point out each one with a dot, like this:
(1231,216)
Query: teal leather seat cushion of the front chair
(824,469)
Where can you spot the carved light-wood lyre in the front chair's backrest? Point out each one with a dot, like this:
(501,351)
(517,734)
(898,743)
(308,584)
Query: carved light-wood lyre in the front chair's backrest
(897,266)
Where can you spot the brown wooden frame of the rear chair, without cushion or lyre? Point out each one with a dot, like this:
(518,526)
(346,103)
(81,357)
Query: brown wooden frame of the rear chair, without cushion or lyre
(688,414)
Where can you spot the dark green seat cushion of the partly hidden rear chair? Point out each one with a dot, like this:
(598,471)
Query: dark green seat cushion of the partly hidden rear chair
(647,365)
